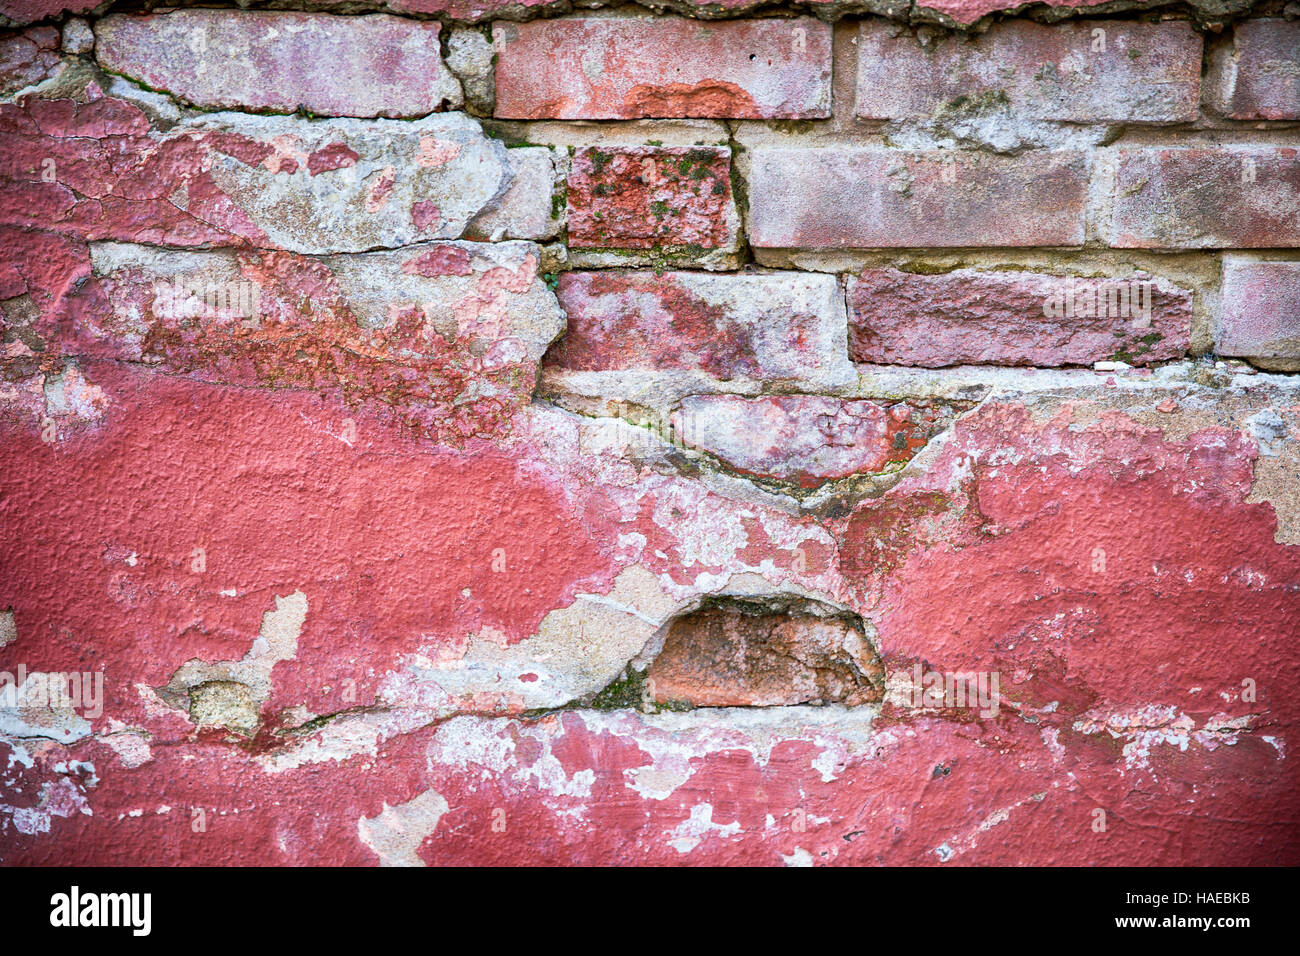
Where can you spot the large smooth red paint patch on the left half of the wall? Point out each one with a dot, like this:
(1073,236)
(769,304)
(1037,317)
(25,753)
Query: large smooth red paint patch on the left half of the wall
(362,530)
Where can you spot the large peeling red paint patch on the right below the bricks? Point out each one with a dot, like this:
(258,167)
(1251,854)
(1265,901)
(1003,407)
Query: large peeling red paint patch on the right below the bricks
(1085,604)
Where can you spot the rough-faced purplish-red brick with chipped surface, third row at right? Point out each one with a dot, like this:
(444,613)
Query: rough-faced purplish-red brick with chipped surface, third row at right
(1013,319)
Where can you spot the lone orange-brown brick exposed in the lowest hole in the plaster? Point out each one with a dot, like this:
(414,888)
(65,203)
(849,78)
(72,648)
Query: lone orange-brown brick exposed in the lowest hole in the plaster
(736,654)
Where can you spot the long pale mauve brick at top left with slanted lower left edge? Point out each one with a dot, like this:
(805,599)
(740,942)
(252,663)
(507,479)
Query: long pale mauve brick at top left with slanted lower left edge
(372,66)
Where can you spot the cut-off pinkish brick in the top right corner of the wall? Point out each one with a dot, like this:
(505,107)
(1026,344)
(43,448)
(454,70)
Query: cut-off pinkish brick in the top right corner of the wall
(1258,76)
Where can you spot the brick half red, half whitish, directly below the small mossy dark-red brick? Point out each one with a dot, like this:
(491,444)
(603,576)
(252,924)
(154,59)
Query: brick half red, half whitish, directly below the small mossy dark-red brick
(779,327)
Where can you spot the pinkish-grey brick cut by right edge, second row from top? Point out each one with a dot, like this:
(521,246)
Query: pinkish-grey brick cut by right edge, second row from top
(1207,197)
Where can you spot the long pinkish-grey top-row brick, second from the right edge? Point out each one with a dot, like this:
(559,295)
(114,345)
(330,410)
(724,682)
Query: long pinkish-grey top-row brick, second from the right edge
(1143,72)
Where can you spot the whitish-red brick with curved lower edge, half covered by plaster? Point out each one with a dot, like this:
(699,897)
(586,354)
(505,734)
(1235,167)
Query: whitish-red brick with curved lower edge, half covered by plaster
(807,440)
